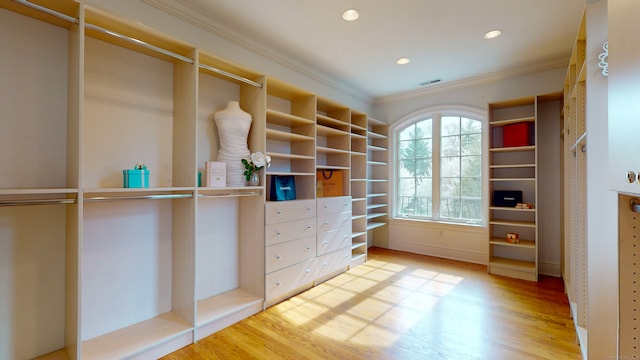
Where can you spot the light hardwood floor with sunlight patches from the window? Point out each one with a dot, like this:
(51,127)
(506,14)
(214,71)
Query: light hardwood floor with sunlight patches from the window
(406,306)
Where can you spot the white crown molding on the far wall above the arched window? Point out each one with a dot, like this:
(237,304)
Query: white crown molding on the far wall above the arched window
(477,80)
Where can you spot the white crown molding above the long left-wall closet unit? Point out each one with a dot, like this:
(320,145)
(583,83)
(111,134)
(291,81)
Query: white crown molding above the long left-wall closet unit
(179,10)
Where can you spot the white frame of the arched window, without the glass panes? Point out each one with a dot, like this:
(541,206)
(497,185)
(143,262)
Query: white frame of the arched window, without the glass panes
(436,113)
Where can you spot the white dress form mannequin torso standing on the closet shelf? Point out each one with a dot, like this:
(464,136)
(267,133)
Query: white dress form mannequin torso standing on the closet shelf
(233,127)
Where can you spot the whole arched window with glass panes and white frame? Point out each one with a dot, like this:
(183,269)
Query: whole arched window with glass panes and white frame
(439,157)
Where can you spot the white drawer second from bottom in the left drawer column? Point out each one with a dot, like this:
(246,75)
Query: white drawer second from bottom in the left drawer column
(288,253)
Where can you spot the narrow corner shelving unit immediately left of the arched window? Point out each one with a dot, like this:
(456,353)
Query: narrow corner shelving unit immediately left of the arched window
(377,182)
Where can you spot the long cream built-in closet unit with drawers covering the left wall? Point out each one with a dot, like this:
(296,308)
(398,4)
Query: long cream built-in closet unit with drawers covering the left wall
(113,272)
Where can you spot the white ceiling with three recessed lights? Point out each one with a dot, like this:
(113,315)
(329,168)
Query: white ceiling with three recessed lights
(443,38)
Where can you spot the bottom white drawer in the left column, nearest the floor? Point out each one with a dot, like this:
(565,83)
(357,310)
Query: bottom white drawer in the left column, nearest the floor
(283,281)
